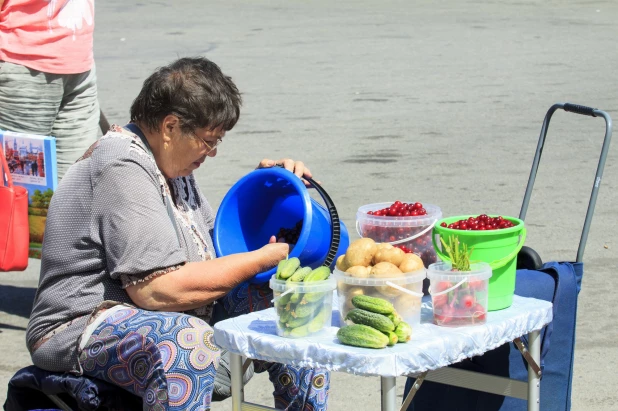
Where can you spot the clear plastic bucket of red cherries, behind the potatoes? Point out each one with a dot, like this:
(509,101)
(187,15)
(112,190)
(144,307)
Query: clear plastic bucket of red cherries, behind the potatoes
(413,232)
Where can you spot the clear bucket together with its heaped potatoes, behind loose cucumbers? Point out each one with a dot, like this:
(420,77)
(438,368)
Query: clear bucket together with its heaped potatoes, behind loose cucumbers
(383,271)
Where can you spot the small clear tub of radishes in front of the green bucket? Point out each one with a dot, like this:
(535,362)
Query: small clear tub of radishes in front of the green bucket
(459,297)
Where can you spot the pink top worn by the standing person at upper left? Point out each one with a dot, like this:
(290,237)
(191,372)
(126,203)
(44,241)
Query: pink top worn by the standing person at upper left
(52,36)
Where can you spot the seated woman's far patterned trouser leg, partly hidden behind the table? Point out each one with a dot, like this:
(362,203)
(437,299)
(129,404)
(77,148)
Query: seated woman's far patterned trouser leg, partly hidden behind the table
(295,388)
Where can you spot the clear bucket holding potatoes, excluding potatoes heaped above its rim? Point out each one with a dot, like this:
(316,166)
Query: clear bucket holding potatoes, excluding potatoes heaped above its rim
(404,292)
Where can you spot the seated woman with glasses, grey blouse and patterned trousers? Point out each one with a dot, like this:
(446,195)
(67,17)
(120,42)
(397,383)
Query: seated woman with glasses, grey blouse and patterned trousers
(128,274)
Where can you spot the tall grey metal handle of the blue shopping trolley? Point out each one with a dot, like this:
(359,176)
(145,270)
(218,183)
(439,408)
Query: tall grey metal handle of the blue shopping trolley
(586,111)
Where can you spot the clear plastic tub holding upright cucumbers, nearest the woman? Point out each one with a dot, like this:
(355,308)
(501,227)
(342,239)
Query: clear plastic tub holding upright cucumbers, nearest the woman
(302,308)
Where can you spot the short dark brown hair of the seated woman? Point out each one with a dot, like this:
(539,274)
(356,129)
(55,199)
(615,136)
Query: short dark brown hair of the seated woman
(192,88)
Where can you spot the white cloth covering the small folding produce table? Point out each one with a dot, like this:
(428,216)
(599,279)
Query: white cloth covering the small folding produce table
(431,347)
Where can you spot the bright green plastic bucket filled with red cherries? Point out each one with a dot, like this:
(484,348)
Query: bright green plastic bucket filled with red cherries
(498,248)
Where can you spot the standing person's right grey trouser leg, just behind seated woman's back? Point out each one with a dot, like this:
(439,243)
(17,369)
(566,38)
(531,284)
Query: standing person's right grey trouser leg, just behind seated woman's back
(77,123)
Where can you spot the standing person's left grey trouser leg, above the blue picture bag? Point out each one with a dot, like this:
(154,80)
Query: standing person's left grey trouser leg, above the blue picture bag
(29,99)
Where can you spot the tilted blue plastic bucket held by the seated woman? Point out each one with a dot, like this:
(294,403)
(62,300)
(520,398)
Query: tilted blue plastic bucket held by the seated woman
(264,201)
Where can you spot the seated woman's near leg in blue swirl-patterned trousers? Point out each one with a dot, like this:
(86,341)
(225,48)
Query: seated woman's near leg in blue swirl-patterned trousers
(168,359)
